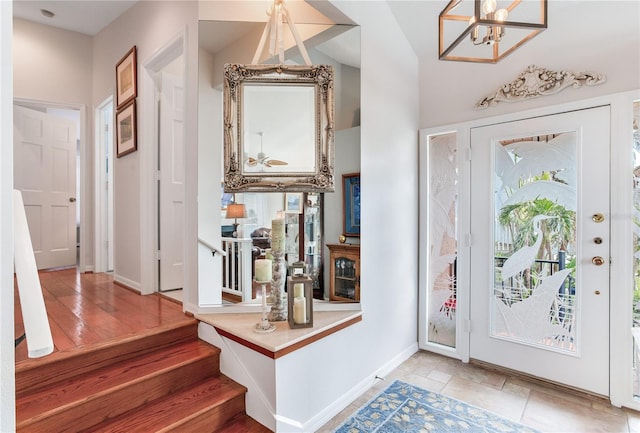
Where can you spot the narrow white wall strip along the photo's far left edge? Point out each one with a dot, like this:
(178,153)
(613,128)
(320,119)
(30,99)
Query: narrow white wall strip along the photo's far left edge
(7,354)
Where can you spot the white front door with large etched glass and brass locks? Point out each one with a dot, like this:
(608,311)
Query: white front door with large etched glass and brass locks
(540,255)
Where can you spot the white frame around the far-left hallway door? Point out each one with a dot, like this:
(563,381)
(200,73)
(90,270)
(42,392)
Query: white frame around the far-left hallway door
(84,201)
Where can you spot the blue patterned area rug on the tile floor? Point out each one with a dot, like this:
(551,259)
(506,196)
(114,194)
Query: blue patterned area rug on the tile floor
(406,408)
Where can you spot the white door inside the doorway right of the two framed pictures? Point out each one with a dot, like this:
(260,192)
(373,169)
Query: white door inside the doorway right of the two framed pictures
(171,206)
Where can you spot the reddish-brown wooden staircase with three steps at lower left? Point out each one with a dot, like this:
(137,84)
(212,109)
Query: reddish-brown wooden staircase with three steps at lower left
(164,379)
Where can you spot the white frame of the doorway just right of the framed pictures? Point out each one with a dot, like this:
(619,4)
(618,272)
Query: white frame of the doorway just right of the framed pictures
(151,68)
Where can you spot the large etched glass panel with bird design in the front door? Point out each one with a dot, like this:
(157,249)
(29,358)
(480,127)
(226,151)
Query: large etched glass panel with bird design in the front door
(534,241)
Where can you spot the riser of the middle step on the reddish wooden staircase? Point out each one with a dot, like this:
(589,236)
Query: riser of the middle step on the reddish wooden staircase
(109,403)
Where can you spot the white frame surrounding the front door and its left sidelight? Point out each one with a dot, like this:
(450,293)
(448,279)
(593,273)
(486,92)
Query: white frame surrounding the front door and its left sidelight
(621,348)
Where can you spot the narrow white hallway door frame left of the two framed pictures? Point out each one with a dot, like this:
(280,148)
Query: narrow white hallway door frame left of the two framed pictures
(103,197)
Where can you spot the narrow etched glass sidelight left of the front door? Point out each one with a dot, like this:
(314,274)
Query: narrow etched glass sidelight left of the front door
(442,178)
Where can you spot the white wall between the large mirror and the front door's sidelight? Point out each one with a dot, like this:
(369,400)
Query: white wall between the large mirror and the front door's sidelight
(314,383)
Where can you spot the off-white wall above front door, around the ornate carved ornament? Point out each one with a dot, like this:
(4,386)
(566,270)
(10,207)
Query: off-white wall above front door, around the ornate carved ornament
(599,36)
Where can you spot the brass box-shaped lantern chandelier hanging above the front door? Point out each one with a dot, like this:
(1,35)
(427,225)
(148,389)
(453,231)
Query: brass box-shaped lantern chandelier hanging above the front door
(486,32)
